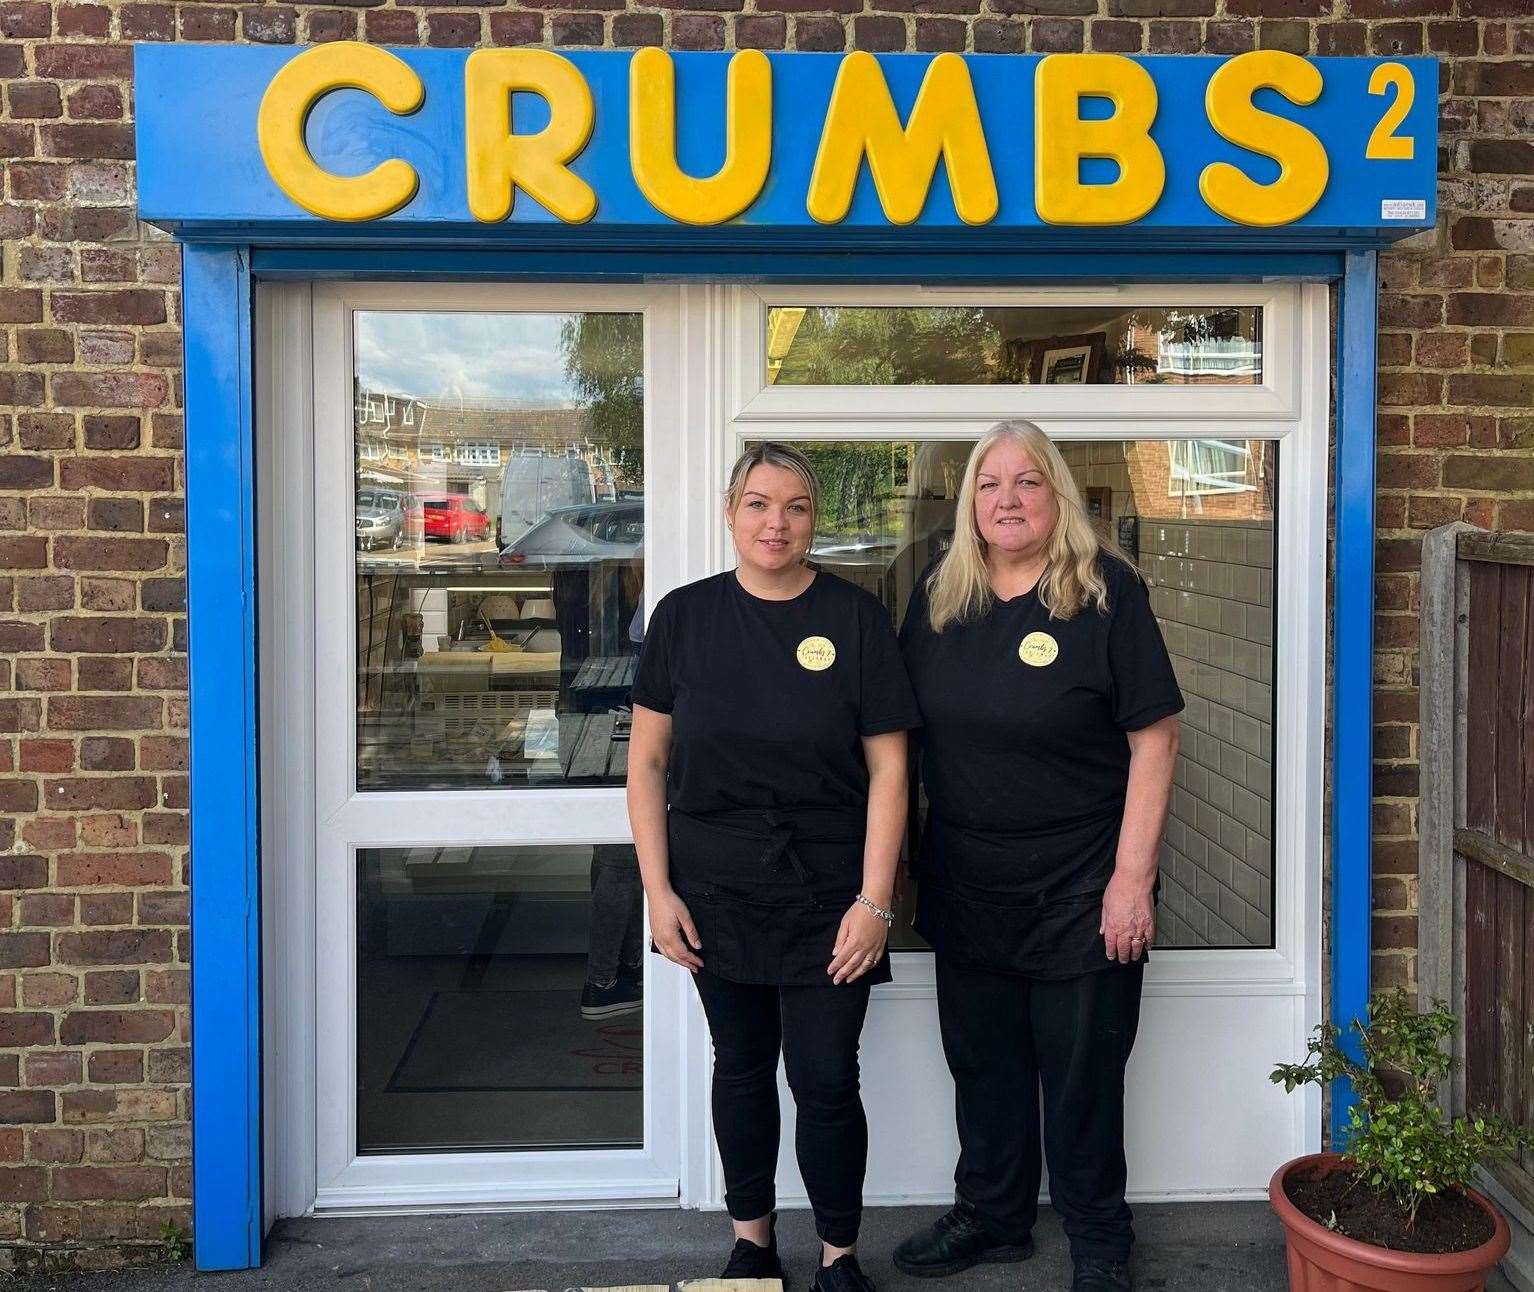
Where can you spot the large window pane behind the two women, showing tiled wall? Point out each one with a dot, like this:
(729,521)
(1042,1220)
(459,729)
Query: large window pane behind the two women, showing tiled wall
(1199,518)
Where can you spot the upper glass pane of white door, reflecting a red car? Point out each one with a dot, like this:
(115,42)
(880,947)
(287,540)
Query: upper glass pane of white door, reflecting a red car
(499,521)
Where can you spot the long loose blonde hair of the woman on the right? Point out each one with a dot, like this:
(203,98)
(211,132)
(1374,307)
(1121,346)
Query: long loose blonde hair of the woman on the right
(960,590)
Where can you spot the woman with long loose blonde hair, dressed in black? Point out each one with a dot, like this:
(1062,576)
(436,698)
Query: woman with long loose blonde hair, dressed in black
(1047,753)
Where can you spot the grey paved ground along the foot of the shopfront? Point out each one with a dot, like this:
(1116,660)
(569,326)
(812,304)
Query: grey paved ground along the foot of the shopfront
(1183,1248)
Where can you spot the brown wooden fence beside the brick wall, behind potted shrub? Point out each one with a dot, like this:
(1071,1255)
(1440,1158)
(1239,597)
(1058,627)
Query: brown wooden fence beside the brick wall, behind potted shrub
(1476,946)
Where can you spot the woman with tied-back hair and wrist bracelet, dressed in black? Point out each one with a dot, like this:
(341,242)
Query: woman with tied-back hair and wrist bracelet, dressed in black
(768,800)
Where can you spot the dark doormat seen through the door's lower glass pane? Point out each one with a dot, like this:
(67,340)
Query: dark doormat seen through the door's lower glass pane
(495,1041)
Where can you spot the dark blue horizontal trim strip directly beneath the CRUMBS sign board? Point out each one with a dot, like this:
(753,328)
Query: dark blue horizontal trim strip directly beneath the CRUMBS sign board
(791,265)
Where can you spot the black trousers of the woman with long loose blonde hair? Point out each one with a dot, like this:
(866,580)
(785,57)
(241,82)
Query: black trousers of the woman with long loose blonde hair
(1007,1038)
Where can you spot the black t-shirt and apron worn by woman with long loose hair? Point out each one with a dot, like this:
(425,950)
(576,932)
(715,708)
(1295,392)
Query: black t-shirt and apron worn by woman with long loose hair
(1025,762)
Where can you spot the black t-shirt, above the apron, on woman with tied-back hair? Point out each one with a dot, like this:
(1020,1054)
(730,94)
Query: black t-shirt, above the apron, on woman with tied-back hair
(771,700)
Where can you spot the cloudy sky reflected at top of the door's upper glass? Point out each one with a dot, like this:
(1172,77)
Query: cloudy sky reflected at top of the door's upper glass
(463,357)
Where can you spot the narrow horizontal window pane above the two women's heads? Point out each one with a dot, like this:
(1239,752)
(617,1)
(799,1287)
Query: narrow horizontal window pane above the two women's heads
(1015,346)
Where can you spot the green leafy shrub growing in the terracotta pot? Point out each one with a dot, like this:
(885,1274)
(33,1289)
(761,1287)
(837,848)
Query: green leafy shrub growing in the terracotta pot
(1401,1142)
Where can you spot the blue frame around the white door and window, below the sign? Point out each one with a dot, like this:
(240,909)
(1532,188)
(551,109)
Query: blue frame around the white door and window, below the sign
(222,576)
